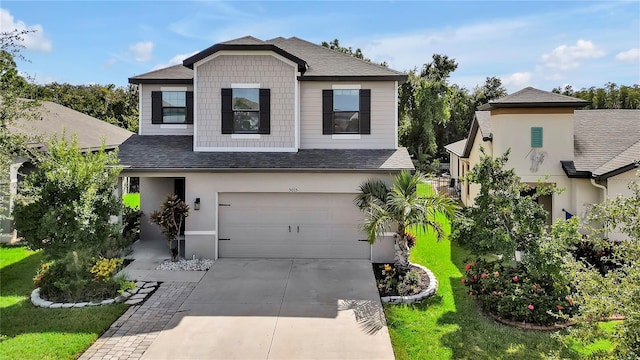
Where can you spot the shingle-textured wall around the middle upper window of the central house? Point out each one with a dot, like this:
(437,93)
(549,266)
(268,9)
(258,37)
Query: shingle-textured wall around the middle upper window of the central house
(221,71)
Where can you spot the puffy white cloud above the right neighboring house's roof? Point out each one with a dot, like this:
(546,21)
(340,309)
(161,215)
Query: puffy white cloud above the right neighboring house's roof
(568,57)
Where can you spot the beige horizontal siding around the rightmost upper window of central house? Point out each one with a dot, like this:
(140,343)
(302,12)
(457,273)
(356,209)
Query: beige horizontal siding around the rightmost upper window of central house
(383,117)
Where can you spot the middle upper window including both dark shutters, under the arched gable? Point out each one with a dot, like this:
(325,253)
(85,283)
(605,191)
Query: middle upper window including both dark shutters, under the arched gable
(246,111)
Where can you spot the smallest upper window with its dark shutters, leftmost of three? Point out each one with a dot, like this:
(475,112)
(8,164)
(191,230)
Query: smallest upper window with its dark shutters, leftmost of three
(172,107)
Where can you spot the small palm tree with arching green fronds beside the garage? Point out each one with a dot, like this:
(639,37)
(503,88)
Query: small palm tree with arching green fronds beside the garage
(403,206)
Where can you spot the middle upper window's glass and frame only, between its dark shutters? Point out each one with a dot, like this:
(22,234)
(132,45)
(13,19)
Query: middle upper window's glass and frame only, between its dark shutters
(246,110)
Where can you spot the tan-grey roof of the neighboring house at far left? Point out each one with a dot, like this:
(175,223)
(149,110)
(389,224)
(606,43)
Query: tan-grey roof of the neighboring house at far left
(54,119)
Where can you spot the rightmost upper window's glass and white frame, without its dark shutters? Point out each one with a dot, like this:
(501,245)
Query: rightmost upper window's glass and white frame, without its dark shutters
(346,111)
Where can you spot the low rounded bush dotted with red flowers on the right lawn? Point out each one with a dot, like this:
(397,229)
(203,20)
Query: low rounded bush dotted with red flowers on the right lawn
(514,294)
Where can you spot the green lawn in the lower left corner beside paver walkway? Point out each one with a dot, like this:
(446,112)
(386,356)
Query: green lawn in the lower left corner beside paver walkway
(29,332)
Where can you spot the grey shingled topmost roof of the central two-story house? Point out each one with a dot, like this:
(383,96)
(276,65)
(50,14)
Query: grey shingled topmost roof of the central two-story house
(315,62)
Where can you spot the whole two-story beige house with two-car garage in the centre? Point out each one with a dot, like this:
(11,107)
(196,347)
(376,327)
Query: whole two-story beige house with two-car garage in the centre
(267,142)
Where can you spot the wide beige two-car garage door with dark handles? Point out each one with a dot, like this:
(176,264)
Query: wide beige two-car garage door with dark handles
(276,225)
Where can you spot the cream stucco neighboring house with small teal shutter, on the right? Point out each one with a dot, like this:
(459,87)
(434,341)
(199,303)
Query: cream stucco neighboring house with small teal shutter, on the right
(592,154)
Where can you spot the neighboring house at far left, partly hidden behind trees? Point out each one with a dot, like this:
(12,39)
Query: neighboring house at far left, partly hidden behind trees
(54,120)
